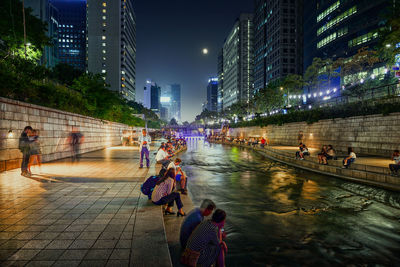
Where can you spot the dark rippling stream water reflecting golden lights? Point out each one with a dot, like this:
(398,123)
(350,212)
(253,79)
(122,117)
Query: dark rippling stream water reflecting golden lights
(280,215)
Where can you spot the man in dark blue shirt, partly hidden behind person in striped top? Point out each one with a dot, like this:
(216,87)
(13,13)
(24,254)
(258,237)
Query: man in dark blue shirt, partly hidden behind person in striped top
(193,219)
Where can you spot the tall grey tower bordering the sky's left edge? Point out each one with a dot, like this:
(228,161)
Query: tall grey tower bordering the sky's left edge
(111,43)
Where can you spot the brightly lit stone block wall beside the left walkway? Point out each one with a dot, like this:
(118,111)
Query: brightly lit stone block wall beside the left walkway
(54,127)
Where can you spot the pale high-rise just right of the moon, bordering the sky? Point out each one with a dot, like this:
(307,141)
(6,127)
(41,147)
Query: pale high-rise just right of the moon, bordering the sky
(238,62)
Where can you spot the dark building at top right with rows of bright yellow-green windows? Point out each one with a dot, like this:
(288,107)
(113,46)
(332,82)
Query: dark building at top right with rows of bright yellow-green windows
(338,29)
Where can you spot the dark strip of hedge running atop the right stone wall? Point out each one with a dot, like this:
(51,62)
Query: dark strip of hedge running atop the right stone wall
(383,106)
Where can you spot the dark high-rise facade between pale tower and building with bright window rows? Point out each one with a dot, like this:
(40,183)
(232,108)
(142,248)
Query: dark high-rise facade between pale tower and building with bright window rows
(278,40)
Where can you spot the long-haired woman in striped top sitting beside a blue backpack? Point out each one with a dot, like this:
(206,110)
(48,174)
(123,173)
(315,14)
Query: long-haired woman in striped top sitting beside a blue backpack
(162,194)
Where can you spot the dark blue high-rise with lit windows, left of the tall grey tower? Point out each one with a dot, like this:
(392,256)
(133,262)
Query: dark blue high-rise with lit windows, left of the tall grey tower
(72,32)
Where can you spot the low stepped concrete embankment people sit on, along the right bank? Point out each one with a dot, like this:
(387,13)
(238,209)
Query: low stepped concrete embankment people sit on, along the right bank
(361,173)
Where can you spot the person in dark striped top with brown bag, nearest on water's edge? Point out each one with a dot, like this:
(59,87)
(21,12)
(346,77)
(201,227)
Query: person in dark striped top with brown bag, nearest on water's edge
(205,246)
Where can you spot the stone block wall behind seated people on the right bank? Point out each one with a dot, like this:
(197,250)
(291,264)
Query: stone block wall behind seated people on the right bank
(369,135)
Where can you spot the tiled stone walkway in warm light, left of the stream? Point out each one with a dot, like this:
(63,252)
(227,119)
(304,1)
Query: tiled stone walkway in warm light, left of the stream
(76,214)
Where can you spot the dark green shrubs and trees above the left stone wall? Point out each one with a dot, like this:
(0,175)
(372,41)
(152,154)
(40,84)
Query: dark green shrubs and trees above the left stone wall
(81,93)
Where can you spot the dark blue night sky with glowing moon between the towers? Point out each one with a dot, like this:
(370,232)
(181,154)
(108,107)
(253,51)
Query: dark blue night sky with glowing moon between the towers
(170,38)
